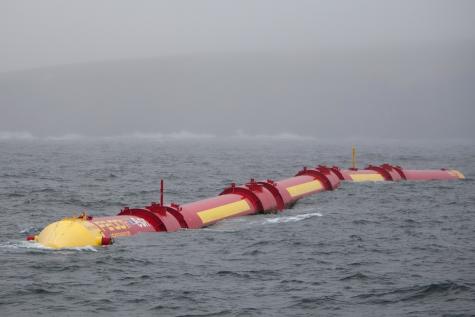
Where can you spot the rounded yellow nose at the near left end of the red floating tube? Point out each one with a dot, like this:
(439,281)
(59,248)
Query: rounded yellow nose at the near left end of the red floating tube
(70,233)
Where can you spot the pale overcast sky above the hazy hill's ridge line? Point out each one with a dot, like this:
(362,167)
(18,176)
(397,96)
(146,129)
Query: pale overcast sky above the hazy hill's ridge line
(40,33)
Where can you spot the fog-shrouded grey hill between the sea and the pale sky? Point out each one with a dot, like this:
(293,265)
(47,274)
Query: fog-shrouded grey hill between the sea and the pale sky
(398,93)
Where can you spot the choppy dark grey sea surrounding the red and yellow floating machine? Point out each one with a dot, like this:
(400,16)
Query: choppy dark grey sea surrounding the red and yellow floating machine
(363,250)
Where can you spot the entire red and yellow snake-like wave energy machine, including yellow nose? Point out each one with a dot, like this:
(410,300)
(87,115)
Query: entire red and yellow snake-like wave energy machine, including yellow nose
(251,198)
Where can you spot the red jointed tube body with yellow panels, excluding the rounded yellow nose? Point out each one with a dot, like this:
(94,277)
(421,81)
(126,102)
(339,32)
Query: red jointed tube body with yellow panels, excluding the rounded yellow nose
(254,197)
